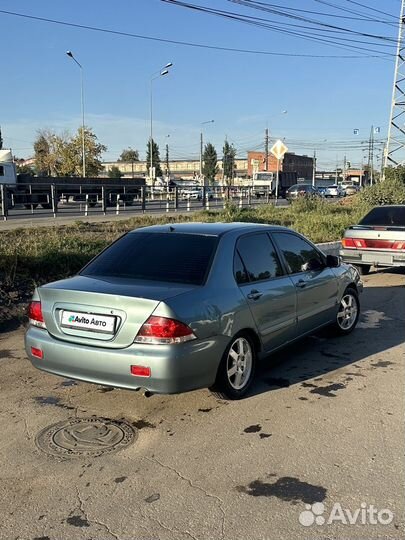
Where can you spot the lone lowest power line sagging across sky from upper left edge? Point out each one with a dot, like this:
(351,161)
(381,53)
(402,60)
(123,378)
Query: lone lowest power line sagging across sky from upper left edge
(176,42)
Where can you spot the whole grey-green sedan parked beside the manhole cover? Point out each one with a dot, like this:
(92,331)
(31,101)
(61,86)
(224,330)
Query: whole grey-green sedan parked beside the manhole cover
(171,308)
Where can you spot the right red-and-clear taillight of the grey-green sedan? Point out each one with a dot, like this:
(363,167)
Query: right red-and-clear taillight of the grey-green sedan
(161,330)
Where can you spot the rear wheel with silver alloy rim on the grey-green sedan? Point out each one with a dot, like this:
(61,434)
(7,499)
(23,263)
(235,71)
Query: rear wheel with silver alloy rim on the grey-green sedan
(226,385)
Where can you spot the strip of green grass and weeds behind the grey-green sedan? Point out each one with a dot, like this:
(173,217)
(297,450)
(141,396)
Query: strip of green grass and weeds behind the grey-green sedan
(44,254)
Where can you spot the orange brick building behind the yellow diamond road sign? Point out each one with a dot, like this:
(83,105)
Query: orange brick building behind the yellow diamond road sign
(302,165)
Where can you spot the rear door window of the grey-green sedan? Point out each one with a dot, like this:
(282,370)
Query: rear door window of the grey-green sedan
(259,257)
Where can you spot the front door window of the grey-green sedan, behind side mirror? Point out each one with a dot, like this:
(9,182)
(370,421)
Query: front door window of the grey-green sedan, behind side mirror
(298,252)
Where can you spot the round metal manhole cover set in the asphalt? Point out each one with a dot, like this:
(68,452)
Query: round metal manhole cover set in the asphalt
(85,437)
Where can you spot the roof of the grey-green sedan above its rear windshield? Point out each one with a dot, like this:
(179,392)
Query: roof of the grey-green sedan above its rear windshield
(213,229)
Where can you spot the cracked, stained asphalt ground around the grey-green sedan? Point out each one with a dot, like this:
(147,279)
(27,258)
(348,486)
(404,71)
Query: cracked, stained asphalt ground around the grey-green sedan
(325,424)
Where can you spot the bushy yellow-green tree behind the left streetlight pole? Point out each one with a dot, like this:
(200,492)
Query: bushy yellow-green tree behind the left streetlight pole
(62,155)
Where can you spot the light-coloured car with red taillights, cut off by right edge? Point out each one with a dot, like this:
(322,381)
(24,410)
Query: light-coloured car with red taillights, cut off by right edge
(378,239)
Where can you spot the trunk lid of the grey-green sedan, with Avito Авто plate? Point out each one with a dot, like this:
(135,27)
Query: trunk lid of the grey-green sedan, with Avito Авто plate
(106,312)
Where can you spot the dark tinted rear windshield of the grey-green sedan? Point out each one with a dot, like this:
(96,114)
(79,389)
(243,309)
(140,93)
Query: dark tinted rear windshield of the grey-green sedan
(172,257)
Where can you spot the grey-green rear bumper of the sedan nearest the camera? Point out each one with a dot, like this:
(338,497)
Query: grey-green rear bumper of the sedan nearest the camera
(174,369)
